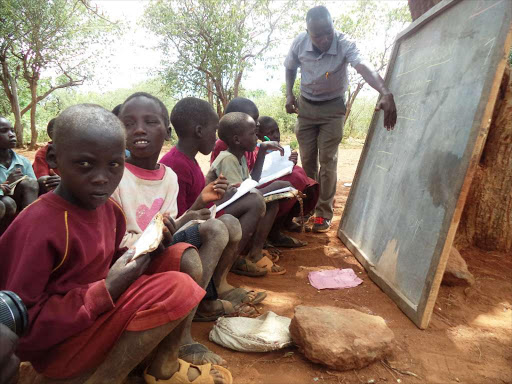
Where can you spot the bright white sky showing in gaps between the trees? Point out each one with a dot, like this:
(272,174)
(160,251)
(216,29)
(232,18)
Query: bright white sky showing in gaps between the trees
(135,56)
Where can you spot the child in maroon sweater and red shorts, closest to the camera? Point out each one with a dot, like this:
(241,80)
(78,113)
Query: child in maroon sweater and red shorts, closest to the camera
(94,314)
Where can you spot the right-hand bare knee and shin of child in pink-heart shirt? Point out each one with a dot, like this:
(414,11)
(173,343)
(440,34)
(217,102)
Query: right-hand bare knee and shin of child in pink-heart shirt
(229,255)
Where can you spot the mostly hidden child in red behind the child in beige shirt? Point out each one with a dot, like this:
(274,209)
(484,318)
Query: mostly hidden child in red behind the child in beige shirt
(286,207)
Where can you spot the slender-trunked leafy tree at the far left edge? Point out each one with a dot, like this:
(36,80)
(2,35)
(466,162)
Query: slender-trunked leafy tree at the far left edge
(38,36)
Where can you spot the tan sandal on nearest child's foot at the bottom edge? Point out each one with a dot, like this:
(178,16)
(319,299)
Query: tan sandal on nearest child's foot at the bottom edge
(181,377)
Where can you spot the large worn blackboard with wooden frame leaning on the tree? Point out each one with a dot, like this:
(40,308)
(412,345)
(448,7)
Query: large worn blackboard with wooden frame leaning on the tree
(411,183)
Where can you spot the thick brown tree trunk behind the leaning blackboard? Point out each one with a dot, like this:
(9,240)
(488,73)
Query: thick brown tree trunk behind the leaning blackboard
(487,217)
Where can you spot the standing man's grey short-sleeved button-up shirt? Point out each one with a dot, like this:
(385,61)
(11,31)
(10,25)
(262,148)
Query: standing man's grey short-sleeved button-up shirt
(323,76)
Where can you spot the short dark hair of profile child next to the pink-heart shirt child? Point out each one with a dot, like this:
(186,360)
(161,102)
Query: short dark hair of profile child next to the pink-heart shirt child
(190,112)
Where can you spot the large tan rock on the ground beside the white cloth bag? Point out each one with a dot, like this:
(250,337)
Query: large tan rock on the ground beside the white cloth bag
(340,338)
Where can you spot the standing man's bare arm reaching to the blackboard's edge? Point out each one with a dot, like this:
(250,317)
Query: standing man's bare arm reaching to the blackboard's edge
(386,102)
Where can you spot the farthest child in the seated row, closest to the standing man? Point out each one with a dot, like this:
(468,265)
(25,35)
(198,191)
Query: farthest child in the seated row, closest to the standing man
(268,128)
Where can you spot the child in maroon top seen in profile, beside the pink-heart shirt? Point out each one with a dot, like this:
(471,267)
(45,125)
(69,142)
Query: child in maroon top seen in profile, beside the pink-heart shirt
(195,123)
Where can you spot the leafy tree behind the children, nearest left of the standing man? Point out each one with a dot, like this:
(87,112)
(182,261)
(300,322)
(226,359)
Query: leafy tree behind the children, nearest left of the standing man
(209,44)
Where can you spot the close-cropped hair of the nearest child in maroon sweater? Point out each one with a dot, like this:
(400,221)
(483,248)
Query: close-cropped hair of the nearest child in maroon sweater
(85,116)
